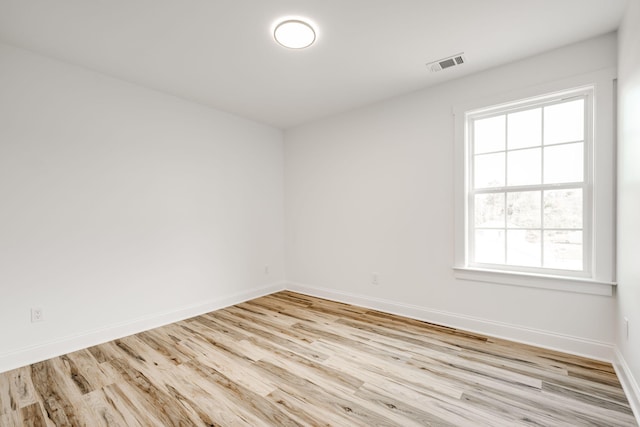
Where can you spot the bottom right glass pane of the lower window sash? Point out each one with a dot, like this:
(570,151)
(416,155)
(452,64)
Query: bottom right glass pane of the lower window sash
(563,250)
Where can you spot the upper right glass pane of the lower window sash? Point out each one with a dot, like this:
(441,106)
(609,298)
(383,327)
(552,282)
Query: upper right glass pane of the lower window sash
(563,208)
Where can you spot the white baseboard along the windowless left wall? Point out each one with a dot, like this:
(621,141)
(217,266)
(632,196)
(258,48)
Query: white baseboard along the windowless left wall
(47,350)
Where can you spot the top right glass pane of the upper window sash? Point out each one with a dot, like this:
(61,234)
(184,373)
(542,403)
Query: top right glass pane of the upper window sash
(564,122)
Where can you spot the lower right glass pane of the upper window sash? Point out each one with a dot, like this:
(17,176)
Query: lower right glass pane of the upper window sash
(564,163)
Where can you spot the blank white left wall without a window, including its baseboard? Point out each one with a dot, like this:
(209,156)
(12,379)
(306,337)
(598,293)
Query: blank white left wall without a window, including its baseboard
(122,208)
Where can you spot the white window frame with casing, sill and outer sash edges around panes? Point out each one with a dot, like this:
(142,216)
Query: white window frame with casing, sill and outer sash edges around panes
(598,276)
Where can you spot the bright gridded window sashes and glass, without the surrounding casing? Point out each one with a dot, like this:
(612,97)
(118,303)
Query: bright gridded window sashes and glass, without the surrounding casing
(529,185)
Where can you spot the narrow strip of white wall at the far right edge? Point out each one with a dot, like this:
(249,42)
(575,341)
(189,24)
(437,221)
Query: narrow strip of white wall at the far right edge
(629,201)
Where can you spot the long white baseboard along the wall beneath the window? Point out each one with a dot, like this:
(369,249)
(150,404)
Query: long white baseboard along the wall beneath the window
(565,343)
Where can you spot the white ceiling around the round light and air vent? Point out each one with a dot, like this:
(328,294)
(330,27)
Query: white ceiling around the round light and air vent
(221,53)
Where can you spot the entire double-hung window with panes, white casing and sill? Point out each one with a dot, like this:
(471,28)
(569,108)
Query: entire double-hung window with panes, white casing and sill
(535,188)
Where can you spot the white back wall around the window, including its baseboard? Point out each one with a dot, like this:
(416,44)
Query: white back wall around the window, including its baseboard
(372,191)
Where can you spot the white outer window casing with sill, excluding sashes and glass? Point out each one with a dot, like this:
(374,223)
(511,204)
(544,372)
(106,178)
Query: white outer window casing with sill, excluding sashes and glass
(601,153)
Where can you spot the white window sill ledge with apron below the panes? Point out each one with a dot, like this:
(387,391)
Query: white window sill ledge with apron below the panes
(558,283)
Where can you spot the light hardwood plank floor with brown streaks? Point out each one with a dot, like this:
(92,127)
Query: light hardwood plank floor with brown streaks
(289,359)
